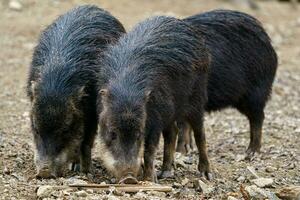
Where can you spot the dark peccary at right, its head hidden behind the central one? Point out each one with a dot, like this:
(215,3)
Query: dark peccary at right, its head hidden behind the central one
(242,70)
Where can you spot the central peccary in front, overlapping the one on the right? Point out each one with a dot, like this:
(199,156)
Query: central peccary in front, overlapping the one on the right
(153,76)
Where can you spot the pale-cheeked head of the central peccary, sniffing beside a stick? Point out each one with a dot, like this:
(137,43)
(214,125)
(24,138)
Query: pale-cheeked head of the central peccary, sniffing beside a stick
(122,131)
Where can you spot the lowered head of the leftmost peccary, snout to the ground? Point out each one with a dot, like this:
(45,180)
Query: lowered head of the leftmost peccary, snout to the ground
(57,126)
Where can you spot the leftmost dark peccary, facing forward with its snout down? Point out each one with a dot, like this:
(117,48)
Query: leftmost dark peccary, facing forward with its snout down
(62,87)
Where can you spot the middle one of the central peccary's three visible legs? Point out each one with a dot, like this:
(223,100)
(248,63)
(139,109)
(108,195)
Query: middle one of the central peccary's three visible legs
(169,135)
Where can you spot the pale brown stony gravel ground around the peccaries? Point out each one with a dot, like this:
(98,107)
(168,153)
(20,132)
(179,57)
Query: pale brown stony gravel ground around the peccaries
(227,132)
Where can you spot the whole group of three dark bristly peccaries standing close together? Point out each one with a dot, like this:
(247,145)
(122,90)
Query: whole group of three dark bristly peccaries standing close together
(89,76)
